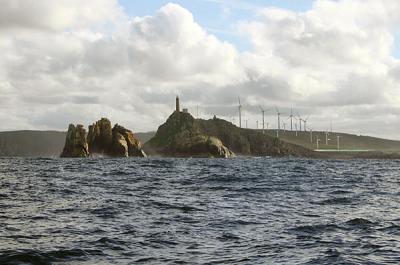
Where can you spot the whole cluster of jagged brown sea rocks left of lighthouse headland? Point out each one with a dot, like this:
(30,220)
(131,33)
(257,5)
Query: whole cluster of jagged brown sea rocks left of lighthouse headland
(101,139)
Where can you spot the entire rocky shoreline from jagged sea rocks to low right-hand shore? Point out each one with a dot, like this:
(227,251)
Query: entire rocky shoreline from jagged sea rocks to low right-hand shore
(184,136)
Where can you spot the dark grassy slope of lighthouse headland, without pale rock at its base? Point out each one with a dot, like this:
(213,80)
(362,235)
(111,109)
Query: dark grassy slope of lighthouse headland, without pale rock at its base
(240,141)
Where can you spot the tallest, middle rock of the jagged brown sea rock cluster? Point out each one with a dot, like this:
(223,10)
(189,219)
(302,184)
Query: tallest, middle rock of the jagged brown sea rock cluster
(100,137)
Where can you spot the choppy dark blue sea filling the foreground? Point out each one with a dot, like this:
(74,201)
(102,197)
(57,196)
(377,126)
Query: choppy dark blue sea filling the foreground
(199,211)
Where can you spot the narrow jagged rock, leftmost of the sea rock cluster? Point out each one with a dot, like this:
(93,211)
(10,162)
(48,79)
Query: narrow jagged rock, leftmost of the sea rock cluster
(75,143)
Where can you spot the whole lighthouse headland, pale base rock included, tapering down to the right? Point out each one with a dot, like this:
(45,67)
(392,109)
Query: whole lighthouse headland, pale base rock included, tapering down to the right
(182,135)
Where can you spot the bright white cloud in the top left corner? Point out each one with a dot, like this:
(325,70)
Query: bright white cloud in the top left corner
(57,15)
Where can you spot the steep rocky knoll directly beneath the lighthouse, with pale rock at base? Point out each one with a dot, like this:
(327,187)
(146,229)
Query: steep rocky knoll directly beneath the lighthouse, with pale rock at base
(180,136)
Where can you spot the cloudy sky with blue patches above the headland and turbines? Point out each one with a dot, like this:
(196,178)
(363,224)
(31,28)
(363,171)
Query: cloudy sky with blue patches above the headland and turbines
(72,61)
